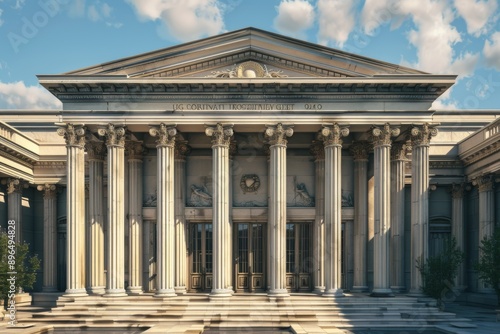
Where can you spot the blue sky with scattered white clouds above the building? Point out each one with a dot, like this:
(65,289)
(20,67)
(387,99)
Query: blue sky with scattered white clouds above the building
(459,37)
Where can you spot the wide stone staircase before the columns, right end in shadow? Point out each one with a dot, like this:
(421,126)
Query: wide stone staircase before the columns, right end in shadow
(196,313)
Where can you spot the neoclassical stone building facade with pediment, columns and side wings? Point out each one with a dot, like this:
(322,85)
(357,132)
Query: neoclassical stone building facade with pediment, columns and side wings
(247,162)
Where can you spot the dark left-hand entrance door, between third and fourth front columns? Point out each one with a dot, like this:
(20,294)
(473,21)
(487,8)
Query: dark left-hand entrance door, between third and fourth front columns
(200,257)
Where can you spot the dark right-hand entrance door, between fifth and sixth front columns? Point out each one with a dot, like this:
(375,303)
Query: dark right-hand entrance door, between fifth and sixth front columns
(298,257)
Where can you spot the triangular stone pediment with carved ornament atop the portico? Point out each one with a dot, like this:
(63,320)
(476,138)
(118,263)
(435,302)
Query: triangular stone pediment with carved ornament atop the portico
(246,53)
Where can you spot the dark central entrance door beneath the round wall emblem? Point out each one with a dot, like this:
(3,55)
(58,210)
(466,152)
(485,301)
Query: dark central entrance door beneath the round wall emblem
(249,257)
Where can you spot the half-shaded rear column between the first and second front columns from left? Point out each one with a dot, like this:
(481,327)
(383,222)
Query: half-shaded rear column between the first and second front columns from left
(96,152)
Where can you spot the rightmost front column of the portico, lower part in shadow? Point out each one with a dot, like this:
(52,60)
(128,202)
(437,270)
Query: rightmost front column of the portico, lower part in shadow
(420,141)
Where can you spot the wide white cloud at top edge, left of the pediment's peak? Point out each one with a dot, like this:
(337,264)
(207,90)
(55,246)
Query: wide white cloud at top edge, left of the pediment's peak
(183,20)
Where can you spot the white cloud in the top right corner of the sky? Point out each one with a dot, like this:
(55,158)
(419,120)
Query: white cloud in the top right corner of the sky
(477,14)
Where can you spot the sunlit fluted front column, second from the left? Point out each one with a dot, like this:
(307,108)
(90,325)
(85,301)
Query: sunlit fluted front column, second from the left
(115,141)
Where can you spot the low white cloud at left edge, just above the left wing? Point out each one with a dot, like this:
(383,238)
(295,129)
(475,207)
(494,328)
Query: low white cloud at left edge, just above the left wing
(16,95)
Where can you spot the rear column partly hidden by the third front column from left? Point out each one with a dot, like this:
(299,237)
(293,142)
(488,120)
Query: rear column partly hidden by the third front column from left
(181,150)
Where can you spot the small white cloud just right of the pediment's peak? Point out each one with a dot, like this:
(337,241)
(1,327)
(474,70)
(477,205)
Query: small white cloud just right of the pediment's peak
(294,16)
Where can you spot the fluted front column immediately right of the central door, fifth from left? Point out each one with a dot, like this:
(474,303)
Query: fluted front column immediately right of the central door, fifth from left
(277,209)
